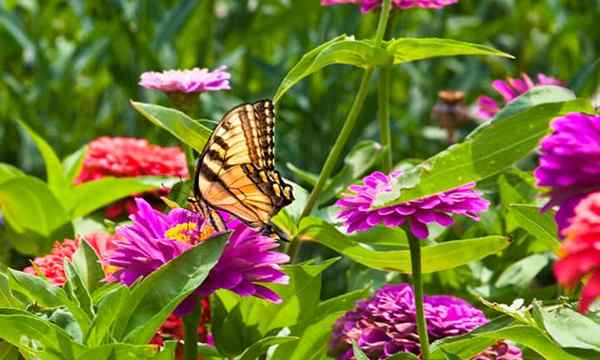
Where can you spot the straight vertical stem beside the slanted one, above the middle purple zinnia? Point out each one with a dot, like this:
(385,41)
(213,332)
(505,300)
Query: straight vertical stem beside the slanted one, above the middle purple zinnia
(384,116)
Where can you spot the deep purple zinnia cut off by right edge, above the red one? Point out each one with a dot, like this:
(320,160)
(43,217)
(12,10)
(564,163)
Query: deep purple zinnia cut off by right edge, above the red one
(570,163)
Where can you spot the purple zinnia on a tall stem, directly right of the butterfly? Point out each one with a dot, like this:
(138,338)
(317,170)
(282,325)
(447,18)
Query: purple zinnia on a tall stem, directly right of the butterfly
(358,216)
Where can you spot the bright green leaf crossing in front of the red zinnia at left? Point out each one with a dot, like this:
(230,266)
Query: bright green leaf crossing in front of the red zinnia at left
(92,195)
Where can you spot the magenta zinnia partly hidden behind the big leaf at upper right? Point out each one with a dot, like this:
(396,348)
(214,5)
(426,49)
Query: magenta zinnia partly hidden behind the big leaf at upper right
(510,89)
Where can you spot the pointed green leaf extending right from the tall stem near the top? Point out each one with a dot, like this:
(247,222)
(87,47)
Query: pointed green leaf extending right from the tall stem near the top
(411,49)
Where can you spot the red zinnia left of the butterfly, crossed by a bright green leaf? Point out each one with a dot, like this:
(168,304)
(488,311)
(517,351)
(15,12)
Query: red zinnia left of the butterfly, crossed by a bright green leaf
(129,157)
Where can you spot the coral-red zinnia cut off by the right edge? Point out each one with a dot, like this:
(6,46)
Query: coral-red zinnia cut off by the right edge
(580,252)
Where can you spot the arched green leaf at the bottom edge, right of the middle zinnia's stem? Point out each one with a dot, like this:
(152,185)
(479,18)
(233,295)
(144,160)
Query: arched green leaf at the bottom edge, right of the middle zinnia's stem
(467,346)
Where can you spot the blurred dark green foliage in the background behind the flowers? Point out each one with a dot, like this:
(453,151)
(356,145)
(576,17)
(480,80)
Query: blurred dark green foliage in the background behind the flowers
(69,68)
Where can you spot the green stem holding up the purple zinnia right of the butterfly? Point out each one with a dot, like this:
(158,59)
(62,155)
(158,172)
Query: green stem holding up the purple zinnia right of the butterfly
(415,260)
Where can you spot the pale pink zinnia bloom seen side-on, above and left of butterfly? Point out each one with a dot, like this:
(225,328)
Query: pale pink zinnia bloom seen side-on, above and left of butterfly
(187,81)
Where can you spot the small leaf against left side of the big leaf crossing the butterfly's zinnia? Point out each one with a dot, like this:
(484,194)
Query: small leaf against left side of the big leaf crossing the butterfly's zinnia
(109,307)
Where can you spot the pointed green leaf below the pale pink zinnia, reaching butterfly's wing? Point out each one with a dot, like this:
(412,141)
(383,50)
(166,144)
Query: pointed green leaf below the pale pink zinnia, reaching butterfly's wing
(186,129)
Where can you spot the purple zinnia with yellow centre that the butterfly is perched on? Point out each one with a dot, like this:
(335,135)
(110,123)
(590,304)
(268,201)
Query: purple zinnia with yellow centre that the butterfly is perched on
(155,238)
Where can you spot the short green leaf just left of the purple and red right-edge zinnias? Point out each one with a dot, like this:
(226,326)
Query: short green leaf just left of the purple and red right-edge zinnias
(541,225)
